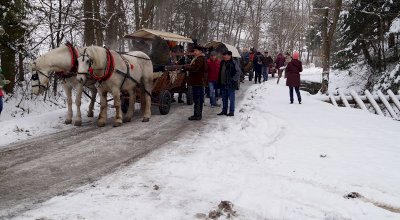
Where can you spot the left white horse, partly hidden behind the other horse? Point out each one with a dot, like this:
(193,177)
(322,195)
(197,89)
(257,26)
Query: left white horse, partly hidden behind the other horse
(62,60)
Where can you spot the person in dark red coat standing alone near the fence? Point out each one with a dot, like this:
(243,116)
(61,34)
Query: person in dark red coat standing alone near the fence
(293,70)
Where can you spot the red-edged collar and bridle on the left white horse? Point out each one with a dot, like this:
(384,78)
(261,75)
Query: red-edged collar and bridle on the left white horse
(72,71)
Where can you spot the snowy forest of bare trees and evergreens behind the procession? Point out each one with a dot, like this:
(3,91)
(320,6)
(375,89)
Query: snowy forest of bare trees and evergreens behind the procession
(328,33)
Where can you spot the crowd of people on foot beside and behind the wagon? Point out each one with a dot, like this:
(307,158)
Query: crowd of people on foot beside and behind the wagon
(225,75)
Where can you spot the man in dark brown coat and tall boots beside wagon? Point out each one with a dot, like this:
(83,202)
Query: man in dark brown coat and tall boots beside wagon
(197,70)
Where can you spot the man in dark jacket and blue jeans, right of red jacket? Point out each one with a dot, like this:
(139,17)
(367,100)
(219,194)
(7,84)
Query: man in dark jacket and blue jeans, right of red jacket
(228,80)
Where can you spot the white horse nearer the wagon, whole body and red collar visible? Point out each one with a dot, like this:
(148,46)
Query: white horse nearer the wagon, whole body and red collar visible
(116,73)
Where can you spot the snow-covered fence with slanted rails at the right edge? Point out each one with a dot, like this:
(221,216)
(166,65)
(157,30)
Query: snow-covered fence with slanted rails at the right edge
(389,101)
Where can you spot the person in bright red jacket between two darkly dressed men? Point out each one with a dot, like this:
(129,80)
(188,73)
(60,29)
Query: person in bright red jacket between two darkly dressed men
(213,64)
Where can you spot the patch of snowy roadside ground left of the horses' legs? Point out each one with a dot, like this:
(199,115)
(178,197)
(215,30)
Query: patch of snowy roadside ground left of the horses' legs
(28,118)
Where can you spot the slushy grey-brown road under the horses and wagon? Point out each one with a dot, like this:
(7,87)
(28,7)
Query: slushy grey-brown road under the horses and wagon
(54,164)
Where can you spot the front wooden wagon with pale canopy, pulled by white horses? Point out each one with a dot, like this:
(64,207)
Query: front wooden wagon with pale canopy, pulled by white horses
(168,79)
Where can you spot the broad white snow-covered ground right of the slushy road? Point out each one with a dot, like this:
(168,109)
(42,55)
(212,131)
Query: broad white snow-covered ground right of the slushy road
(272,161)
